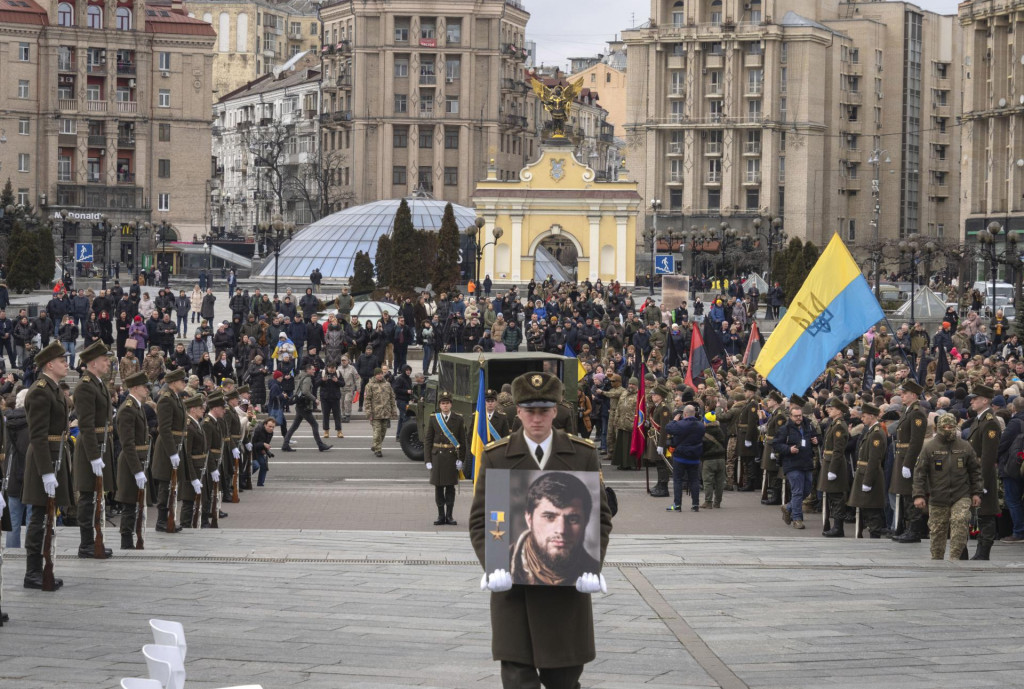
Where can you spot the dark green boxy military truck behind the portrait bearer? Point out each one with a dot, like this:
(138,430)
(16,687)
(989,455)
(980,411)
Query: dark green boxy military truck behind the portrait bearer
(459,374)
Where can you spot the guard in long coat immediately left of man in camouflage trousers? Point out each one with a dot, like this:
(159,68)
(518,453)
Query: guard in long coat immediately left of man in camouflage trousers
(910,441)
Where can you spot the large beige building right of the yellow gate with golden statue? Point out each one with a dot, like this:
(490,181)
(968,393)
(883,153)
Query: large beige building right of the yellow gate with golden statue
(793,109)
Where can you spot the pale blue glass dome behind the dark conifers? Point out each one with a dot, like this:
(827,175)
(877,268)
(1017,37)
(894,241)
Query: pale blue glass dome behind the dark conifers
(331,243)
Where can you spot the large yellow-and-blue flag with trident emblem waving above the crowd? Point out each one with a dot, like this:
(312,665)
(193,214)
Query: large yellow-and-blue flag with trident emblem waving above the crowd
(834,308)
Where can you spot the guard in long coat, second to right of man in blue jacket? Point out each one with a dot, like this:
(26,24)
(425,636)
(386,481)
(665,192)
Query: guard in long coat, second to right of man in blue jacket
(869,490)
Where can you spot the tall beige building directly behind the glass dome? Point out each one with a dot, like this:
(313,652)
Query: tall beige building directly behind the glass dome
(423,95)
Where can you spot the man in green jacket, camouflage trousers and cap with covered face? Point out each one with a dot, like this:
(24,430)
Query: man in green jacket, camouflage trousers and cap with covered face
(948,476)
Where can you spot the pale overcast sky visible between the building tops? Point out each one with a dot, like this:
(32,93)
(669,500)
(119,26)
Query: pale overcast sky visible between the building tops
(579,28)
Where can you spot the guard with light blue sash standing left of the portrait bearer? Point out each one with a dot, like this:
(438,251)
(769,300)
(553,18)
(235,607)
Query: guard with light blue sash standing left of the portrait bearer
(445,450)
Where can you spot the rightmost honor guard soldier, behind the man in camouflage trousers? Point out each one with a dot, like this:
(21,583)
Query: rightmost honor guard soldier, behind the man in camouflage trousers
(984,435)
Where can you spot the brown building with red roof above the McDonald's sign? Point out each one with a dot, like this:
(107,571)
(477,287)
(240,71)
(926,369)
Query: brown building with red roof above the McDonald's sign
(108,114)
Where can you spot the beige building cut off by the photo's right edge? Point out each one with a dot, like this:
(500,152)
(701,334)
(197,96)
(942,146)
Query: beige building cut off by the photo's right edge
(993,185)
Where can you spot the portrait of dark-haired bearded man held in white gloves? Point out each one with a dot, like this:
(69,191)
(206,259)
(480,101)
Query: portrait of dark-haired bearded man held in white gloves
(544,526)
